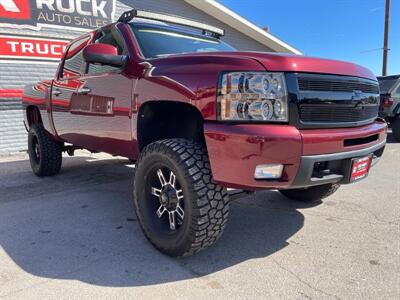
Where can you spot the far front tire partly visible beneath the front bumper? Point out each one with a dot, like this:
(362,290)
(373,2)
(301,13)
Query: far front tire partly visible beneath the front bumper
(311,194)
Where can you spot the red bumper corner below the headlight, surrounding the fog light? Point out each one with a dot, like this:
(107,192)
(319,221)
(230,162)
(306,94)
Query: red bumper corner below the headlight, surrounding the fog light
(235,150)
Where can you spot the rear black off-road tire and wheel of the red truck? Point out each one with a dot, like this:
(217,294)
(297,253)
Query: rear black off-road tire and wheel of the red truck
(45,154)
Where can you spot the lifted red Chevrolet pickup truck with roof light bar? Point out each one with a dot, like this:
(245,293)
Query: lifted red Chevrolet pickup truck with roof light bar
(200,118)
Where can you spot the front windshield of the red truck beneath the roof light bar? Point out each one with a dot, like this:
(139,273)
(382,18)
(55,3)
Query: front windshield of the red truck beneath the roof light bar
(158,42)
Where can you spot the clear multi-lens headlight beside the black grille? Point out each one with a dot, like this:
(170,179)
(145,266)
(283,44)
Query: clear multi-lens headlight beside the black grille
(253,96)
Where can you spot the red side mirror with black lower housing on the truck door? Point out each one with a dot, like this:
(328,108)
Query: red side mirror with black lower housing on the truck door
(103,54)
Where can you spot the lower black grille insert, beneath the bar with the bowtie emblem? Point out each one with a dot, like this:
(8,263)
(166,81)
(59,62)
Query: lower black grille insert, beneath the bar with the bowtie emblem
(337,113)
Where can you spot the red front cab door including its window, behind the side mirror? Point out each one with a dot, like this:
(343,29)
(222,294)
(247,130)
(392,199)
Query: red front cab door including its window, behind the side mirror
(103,102)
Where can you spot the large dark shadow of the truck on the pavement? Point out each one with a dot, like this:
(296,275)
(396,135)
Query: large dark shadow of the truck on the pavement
(80,225)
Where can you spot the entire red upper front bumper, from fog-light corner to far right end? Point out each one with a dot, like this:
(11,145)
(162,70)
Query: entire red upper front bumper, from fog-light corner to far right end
(236,150)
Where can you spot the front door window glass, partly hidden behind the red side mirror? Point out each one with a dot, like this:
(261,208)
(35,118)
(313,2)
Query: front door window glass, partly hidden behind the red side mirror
(111,37)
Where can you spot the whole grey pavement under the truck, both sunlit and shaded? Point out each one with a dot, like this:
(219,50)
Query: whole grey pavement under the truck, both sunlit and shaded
(75,236)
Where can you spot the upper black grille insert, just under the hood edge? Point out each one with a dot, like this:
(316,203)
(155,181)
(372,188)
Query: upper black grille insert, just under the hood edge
(326,85)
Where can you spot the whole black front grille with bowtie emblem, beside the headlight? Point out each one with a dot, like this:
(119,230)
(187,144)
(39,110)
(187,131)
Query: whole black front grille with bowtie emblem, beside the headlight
(336,100)
